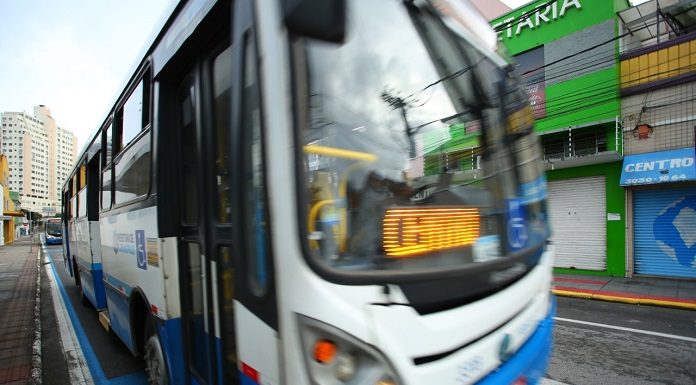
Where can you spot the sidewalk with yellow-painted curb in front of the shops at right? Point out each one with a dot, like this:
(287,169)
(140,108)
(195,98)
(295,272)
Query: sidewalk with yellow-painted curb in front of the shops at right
(636,290)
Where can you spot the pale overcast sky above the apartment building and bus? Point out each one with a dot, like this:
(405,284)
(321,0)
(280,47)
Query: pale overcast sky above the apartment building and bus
(75,55)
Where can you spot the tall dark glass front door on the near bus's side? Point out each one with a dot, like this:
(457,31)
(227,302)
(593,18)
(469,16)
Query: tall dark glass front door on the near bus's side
(198,102)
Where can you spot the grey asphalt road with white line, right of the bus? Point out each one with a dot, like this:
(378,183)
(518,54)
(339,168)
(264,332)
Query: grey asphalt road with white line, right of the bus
(593,354)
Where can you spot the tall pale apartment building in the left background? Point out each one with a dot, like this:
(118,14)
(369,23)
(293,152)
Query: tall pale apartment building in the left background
(40,156)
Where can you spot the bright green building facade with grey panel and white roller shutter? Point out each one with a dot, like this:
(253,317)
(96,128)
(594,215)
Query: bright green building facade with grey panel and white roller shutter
(567,52)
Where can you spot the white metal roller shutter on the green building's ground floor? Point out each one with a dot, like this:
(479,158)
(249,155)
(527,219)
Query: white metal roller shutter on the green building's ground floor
(577,212)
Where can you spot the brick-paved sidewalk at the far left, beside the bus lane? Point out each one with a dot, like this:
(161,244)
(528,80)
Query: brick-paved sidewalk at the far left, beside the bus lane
(18,314)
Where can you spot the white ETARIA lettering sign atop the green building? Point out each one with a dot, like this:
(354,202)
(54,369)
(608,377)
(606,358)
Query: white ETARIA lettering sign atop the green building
(534,18)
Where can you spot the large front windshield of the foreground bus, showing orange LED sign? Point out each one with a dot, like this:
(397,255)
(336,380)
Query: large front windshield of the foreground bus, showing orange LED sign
(418,152)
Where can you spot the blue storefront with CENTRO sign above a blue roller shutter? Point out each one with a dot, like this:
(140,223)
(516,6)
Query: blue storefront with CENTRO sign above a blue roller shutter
(662,208)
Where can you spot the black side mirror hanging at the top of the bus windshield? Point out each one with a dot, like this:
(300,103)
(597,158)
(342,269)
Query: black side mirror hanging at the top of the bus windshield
(316,19)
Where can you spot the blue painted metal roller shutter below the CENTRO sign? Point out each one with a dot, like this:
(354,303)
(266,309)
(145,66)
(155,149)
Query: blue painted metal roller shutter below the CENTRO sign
(664,232)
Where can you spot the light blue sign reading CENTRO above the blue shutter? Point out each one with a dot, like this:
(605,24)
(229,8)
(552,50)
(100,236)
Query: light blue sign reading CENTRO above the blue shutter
(659,167)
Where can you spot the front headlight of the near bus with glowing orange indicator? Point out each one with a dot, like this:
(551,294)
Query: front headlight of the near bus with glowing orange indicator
(333,356)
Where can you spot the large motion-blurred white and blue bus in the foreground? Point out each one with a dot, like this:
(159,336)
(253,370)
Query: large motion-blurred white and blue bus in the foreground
(318,192)
